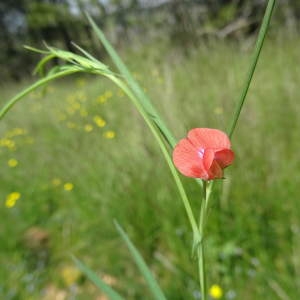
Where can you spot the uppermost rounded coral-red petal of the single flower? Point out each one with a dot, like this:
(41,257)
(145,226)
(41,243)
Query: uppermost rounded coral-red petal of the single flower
(208,138)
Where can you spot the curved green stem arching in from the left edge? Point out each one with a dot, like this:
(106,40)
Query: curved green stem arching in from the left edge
(33,87)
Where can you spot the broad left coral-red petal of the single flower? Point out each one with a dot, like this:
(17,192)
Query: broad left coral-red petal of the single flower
(188,161)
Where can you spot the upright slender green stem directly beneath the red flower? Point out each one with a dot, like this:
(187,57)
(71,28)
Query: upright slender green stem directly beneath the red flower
(201,257)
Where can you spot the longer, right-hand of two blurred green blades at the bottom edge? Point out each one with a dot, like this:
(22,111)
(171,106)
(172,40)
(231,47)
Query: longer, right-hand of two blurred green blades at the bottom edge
(154,287)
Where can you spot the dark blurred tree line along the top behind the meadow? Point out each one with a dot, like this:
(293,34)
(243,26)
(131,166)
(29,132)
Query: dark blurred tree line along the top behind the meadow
(183,22)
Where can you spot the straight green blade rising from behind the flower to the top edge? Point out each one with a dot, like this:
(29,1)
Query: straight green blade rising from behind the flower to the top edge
(259,43)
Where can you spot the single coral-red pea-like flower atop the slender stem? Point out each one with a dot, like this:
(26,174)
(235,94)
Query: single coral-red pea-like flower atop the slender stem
(203,154)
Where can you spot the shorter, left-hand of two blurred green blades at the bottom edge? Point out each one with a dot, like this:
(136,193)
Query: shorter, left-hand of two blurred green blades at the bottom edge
(93,277)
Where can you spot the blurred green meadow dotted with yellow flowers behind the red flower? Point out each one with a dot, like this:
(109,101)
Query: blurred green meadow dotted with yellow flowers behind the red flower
(77,155)
